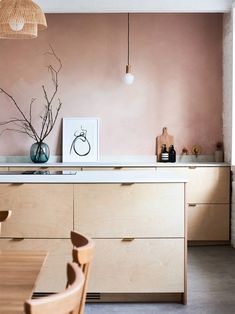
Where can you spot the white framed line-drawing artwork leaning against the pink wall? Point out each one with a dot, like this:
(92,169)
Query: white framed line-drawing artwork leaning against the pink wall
(80,139)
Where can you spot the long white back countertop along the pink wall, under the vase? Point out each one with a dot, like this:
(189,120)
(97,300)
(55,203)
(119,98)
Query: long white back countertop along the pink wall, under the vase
(116,164)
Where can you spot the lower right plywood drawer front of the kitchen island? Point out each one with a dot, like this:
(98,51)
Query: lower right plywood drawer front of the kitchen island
(140,266)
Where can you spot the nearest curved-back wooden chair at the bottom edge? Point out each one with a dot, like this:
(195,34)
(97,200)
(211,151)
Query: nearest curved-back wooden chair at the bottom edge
(66,302)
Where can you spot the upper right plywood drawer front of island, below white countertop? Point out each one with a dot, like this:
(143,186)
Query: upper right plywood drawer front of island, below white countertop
(136,210)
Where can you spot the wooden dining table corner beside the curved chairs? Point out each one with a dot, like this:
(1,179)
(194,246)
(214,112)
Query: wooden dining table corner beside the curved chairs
(18,275)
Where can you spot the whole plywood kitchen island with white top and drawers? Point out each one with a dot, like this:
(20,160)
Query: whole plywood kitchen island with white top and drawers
(137,219)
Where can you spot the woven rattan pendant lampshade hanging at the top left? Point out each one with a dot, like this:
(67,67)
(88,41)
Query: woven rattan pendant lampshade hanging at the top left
(20,19)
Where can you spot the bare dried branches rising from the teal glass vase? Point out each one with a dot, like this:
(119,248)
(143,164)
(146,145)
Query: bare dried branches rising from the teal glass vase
(49,117)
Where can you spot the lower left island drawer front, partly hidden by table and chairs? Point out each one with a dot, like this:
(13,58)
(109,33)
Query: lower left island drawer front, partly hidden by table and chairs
(52,277)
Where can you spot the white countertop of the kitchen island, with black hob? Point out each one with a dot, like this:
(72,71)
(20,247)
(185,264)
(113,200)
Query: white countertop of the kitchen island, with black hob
(97,177)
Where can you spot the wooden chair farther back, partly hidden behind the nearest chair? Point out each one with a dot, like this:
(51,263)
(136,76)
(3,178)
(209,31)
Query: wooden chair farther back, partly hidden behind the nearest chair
(82,255)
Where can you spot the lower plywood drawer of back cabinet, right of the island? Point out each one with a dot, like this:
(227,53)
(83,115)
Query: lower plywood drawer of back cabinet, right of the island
(208,222)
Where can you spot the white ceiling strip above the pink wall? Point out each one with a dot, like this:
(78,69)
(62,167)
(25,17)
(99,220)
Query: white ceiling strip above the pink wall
(118,6)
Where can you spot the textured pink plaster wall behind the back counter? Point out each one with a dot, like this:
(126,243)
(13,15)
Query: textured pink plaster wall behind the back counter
(177,63)
